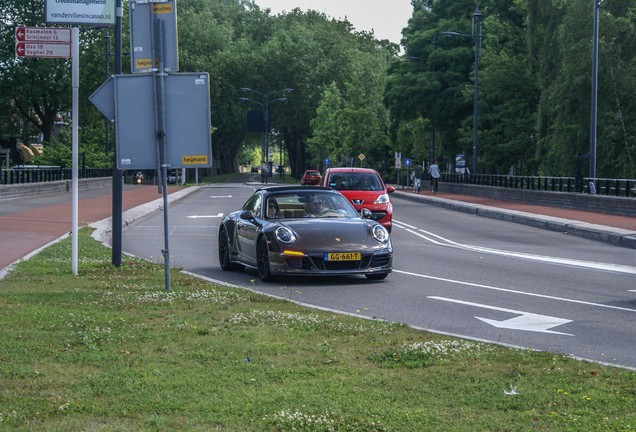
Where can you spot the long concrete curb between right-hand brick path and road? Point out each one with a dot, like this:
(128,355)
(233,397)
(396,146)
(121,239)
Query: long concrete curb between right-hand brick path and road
(601,233)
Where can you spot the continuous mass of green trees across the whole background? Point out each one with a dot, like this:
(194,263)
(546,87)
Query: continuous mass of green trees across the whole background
(354,94)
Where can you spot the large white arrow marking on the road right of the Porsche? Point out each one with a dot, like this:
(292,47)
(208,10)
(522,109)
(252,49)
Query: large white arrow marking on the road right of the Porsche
(526,321)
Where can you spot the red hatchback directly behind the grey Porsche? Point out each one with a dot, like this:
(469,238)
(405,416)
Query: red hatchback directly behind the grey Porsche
(364,188)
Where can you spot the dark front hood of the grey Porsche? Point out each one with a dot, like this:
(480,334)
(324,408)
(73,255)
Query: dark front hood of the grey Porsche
(335,233)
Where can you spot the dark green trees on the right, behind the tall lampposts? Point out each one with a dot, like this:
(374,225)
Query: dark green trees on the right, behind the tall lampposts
(534,83)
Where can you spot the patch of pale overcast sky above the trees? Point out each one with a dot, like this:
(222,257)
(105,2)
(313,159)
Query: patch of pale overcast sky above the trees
(386,18)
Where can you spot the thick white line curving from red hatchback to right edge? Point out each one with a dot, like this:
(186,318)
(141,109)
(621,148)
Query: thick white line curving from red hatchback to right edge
(439,240)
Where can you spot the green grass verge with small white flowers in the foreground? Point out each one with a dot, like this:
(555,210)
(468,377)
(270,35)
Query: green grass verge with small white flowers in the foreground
(111,350)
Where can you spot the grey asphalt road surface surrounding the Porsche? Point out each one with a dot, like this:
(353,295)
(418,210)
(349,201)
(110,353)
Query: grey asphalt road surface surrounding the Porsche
(453,273)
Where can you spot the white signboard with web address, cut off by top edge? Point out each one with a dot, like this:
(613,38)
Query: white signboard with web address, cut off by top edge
(100,12)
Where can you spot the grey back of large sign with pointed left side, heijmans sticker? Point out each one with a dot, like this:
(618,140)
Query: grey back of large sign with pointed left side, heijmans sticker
(129,100)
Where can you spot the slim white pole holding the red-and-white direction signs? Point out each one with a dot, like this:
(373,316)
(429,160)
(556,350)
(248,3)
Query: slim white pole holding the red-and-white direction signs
(75,151)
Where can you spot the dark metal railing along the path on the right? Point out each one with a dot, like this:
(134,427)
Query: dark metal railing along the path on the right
(599,186)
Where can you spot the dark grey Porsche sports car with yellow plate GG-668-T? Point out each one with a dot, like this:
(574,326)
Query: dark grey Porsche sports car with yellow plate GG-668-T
(308,230)
